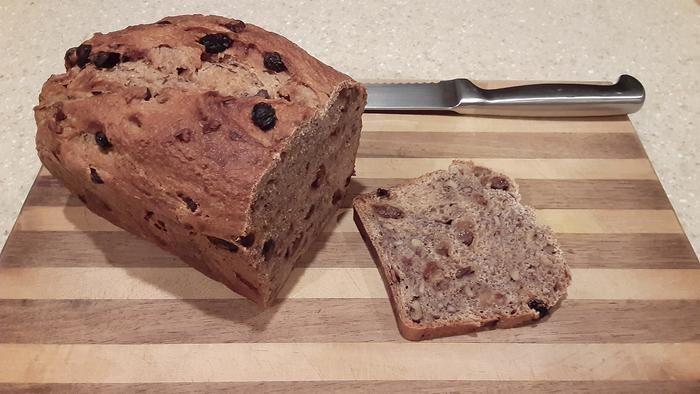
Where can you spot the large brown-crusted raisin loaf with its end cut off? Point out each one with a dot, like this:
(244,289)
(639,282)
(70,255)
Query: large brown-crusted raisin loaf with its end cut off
(223,143)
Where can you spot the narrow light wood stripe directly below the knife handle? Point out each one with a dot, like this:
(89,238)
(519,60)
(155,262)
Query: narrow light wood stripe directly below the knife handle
(475,124)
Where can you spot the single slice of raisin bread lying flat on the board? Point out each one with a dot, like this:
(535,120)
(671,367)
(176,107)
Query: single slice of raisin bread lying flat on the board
(458,251)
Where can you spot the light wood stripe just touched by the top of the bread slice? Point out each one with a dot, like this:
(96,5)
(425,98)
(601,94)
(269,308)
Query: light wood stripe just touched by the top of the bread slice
(516,168)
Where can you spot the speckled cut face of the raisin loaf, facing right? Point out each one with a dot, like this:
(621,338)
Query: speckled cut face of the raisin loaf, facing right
(303,190)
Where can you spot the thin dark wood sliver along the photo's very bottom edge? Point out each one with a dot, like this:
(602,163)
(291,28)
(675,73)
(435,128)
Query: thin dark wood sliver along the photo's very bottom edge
(370,386)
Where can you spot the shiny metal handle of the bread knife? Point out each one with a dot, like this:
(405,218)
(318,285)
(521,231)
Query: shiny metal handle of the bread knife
(551,99)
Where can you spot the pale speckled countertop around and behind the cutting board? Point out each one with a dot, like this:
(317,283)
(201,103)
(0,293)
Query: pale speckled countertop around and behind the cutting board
(657,41)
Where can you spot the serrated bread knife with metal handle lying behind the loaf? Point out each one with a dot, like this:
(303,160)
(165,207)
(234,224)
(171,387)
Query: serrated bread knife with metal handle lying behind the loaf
(539,100)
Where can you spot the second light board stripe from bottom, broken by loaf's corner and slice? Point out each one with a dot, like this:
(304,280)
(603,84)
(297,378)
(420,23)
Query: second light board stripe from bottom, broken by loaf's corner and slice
(187,283)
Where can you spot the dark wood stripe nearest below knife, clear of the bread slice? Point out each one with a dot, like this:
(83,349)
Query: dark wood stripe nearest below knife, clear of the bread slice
(501,145)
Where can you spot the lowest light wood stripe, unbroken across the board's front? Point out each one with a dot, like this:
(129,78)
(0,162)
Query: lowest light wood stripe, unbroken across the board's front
(345,361)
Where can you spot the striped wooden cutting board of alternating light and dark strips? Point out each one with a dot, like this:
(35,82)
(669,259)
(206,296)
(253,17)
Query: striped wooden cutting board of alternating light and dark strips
(86,307)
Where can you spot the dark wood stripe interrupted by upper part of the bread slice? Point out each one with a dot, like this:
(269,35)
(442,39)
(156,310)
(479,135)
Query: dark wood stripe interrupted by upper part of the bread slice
(541,194)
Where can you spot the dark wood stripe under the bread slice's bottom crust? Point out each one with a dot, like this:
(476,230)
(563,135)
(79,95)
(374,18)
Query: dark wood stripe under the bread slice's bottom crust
(323,320)
